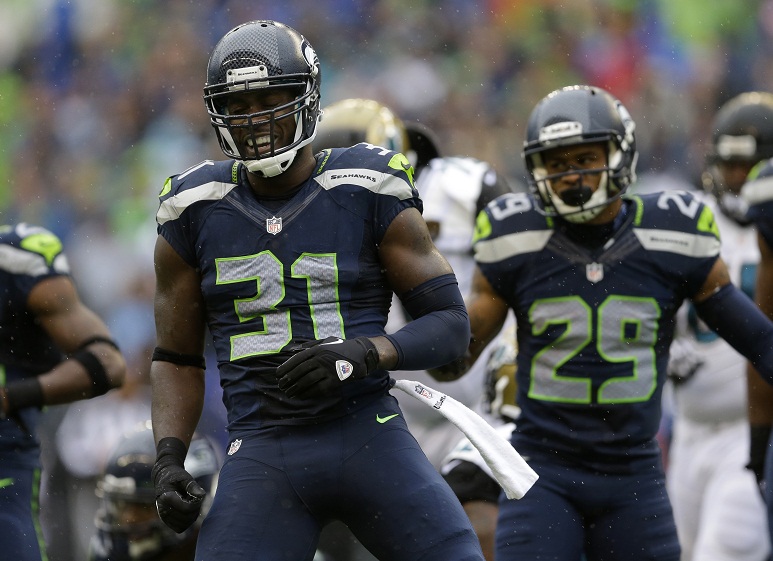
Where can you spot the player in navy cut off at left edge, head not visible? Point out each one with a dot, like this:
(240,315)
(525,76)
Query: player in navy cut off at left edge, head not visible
(53,350)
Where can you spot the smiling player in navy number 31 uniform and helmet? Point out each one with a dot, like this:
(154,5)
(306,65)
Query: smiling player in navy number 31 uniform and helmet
(290,261)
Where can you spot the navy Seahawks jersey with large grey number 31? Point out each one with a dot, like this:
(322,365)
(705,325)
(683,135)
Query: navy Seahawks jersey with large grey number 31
(273,277)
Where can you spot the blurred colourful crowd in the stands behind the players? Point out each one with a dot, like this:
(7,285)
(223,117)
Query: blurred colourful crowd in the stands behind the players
(100,100)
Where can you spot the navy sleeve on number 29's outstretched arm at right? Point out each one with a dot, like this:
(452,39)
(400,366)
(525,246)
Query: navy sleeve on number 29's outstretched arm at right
(738,320)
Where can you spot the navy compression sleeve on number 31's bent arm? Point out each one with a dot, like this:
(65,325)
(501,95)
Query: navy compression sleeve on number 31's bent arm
(441,331)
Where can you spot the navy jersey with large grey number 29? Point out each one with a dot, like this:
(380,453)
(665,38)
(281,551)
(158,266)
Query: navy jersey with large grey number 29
(594,321)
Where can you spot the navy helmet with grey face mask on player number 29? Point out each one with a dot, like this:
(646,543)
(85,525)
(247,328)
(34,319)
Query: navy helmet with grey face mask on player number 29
(572,116)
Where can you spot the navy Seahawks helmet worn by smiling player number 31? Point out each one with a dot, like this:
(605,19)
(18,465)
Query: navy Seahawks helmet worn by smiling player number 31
(261,55)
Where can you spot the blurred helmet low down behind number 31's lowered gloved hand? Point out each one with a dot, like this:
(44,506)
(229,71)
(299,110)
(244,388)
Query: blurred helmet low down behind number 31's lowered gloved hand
(128,526)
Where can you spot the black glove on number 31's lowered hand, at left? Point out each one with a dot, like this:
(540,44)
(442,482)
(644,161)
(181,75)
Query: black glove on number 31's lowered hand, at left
(178,495)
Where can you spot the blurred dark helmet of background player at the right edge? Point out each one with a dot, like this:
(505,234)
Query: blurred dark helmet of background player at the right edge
(742,136)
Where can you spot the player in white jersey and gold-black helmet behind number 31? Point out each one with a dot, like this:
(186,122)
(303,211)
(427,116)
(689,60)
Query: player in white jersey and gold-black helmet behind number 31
(453,190)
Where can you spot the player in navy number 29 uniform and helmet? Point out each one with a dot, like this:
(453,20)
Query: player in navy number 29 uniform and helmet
(594,279)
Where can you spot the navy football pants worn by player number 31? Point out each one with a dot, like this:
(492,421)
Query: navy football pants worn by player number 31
(282,485)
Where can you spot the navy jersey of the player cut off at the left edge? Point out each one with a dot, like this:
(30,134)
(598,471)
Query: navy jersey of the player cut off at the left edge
(28,255)
